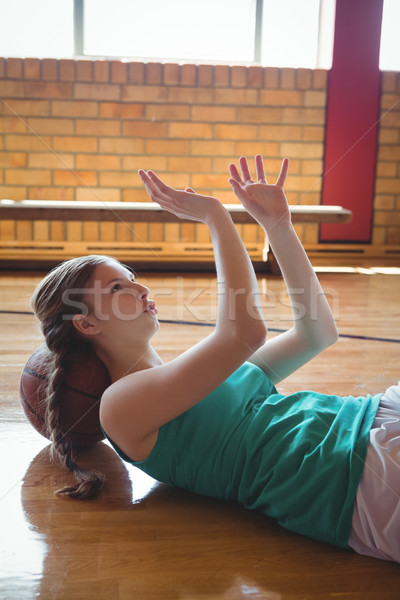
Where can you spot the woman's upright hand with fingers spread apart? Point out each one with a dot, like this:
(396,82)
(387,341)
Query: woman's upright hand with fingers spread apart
(265,202)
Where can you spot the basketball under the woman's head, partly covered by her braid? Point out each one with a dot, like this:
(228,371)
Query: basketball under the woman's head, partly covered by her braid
(79,414)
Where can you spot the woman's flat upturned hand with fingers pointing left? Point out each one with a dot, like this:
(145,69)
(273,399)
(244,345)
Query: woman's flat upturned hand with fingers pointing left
(185,204)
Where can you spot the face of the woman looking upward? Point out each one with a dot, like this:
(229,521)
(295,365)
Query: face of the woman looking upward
(118,304)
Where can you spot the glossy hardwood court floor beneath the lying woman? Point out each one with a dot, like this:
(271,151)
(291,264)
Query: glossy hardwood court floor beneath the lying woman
(148,541)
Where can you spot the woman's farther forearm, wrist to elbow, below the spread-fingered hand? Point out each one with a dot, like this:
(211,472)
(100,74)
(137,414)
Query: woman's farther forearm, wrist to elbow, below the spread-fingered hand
(312,315)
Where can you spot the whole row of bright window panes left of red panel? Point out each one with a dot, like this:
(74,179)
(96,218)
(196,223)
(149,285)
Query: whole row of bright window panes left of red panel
(283,33)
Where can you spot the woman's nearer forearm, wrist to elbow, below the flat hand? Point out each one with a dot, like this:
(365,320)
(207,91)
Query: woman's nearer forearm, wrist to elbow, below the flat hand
(238,293)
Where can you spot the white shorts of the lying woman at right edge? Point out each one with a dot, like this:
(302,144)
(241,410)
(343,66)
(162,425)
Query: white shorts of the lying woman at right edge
(376,518)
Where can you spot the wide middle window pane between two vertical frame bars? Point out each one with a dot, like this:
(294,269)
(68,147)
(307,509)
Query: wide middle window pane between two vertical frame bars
(206,30)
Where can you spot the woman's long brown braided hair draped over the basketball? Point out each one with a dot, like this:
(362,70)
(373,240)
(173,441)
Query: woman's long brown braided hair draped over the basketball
(58,295)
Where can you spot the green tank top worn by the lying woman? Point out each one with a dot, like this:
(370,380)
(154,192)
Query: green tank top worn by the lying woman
(297,458)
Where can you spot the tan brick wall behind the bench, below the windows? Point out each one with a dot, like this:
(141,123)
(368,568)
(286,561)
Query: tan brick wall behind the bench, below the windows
(79,130)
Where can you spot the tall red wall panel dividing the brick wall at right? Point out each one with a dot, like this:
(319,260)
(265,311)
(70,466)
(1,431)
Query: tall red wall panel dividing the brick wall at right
(352,114)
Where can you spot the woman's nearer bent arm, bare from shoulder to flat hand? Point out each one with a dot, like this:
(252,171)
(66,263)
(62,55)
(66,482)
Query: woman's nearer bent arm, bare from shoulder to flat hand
(134,407)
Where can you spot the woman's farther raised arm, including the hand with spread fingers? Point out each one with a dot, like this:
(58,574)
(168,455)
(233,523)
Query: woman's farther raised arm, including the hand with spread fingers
(314,327)
